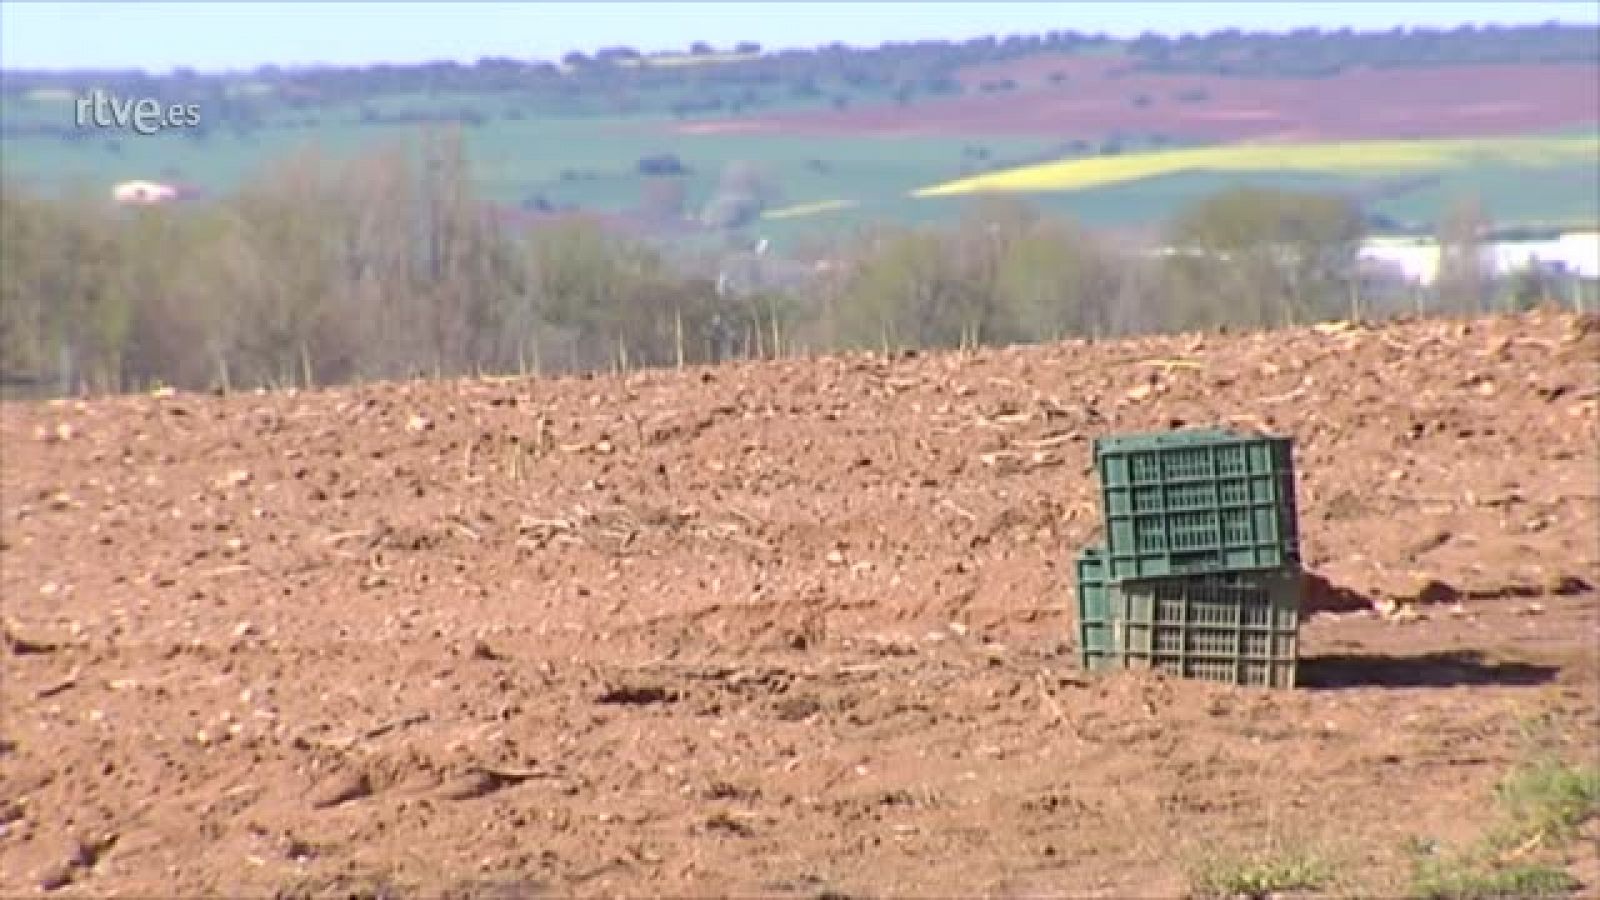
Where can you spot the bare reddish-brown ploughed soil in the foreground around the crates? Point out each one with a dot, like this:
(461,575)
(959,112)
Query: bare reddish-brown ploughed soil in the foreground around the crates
(780,629)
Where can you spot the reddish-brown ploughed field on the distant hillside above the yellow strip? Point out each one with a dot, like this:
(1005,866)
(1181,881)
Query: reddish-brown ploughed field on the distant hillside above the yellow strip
(1098,100)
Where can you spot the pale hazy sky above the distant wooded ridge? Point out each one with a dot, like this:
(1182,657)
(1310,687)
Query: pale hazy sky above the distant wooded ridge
(239,34)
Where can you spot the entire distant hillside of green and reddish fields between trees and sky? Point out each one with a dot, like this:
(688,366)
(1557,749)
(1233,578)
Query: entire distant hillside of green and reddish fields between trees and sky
(719,140)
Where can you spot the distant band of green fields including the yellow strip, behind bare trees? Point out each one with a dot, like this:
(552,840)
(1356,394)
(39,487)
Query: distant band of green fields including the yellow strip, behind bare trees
(828,183)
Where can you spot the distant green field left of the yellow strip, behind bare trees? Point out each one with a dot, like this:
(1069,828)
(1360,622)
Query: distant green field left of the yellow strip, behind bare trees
(588,161)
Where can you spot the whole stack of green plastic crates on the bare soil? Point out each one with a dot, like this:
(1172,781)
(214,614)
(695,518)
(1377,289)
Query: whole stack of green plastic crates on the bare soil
(1201,571)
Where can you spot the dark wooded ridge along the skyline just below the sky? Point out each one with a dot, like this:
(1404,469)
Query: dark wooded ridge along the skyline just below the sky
(746,81)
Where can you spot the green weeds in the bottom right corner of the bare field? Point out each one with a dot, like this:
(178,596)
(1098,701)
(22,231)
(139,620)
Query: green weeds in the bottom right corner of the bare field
(1545,803)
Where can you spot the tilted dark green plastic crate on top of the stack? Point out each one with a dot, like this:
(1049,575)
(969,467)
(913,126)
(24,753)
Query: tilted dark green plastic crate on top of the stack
(1198,500)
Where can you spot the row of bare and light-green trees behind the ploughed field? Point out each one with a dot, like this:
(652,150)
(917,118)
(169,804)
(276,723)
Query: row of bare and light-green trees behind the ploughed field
(322,271)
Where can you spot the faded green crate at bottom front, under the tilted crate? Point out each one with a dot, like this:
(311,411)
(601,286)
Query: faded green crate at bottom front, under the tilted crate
(1238,629)
